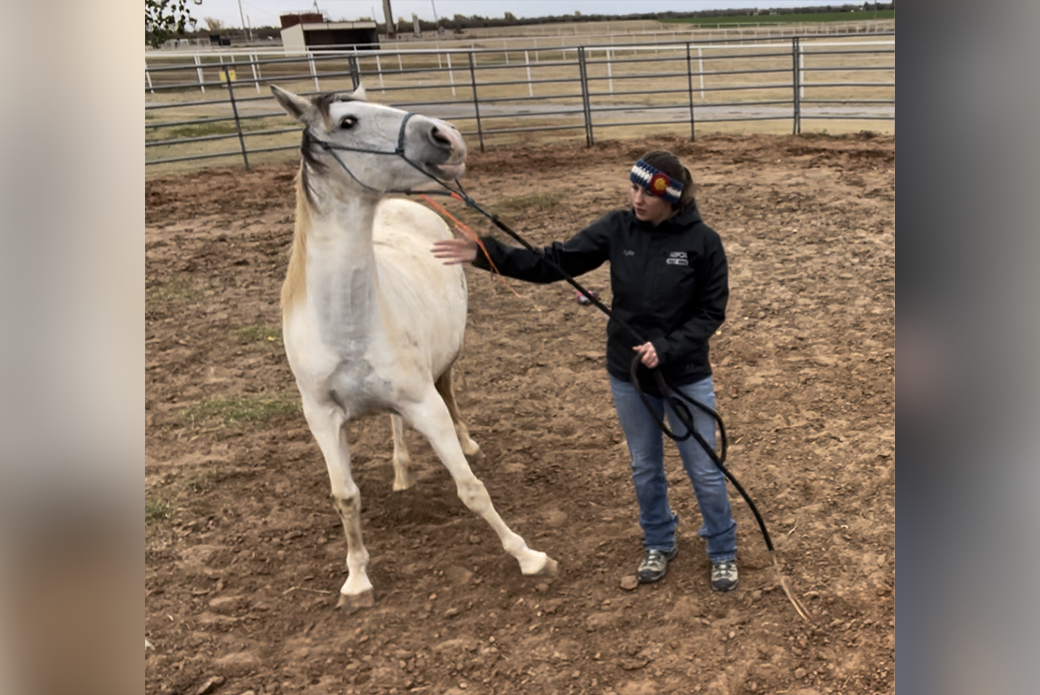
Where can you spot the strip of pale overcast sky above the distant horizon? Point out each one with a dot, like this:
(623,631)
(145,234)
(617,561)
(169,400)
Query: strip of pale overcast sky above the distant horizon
(266,13)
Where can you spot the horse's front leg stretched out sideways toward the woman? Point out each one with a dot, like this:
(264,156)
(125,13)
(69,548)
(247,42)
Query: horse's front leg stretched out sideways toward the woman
(430,416)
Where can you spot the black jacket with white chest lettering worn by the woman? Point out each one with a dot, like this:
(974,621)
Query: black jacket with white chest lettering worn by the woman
(669,282)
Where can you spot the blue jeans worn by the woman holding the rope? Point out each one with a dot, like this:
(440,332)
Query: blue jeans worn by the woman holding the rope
(646,446)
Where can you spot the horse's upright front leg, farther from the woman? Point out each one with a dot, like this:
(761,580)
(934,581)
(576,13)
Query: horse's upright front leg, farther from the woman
(328,424)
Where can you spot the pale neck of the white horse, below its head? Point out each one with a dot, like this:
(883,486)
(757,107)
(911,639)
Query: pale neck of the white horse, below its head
(333,263)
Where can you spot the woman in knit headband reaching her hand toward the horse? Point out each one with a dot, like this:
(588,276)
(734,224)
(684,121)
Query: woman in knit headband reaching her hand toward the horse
(669,280)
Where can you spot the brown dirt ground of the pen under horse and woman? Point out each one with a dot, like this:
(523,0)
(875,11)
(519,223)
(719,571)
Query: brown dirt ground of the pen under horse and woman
(246,555)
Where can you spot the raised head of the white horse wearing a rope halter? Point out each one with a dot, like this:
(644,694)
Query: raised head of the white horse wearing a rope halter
(372,147)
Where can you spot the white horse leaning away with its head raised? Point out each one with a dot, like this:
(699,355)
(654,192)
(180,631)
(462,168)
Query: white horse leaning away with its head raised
(371,320)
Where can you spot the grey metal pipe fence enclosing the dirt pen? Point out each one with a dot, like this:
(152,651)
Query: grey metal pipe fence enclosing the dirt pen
(195,106)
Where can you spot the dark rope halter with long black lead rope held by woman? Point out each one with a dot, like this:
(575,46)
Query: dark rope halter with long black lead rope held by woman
(674,397)
